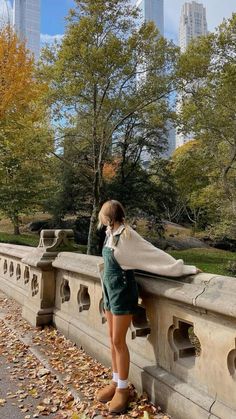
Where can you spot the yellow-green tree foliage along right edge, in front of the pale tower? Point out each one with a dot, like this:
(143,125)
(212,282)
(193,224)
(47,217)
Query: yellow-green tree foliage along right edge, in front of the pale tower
(208,88)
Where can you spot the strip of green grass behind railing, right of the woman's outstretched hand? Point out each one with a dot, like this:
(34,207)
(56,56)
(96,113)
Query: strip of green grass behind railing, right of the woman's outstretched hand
(208,260)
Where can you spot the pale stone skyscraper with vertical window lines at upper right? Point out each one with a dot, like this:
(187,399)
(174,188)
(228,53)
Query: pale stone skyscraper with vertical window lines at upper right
(193,23)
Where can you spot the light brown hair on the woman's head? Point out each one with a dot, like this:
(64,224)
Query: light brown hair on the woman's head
(113,211)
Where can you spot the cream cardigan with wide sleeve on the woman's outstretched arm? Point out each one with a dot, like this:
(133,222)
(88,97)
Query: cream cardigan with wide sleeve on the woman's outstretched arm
(134,252)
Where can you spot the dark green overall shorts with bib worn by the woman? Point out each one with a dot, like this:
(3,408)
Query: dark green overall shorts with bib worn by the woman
(120,290)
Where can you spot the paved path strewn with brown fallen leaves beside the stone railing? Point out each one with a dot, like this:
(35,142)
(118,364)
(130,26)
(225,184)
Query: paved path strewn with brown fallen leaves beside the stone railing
(44,374)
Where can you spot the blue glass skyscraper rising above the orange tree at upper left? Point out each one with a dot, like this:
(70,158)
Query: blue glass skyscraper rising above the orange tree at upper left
(26,20)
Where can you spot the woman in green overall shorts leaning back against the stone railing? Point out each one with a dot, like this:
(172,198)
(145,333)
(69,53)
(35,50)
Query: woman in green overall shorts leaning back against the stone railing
(125,250)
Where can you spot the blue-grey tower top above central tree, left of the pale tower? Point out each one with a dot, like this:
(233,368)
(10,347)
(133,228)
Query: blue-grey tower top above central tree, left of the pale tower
(153,10)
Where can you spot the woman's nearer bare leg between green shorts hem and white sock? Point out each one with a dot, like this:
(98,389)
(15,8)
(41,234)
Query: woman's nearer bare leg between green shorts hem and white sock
(120,324)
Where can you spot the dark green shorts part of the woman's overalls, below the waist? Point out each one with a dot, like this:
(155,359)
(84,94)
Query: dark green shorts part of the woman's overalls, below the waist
(120,293)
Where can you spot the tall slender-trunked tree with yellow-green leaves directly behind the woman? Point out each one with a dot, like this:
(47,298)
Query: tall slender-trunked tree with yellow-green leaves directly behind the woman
(94,79)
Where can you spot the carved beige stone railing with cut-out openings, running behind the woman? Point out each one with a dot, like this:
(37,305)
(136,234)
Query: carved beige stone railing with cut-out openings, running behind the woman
(182,341)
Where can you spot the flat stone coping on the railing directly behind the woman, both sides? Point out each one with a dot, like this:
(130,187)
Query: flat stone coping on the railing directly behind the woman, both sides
(204,291)
